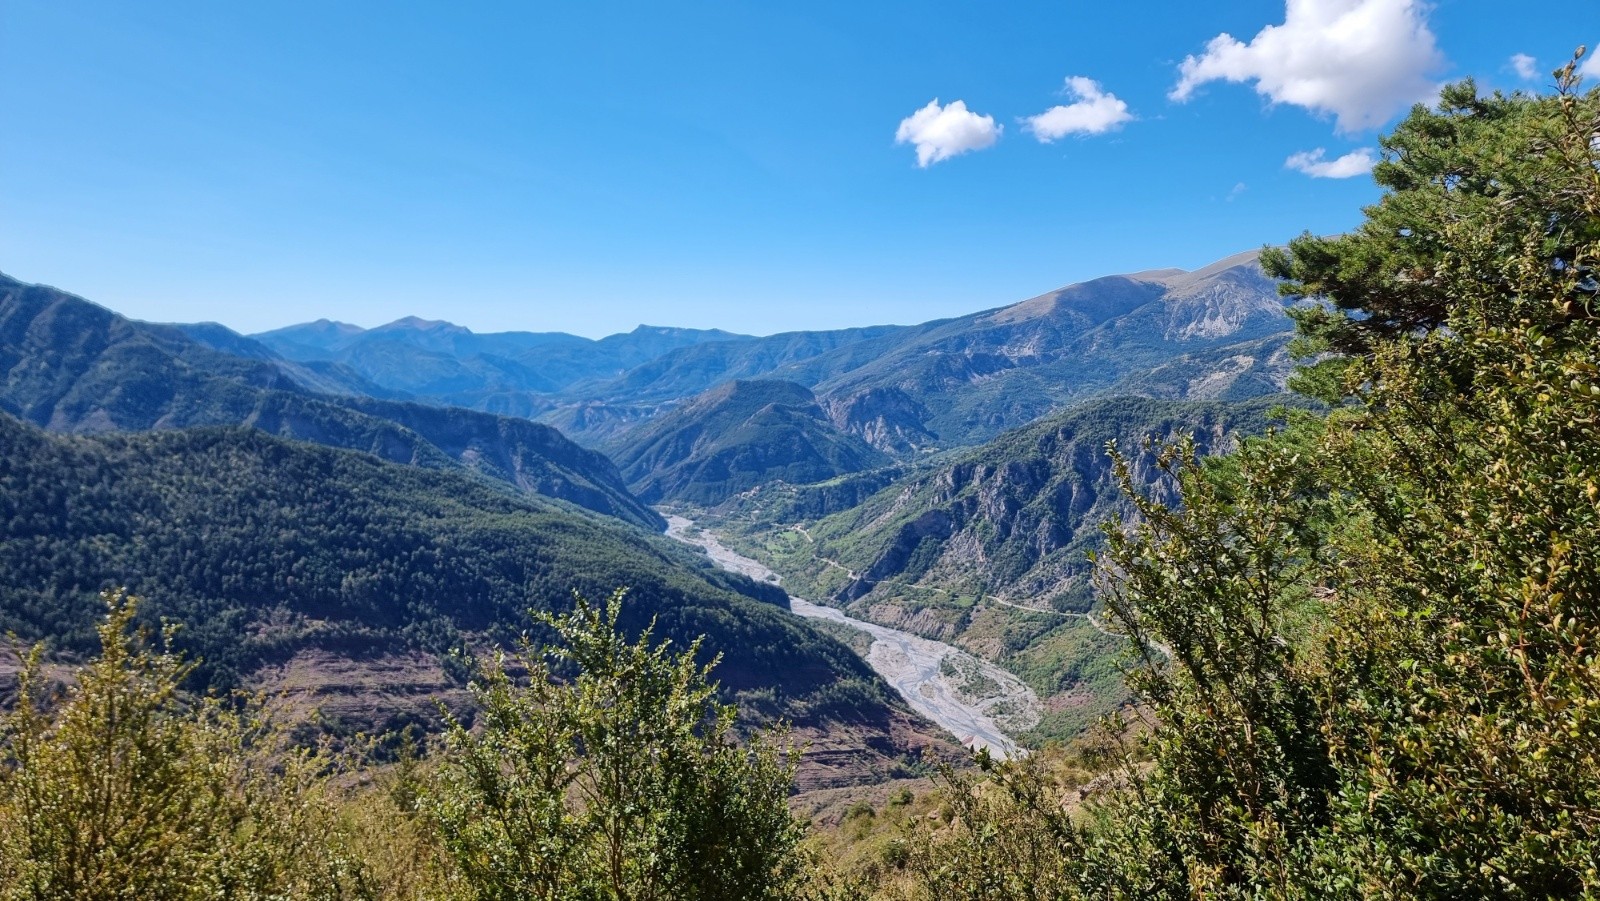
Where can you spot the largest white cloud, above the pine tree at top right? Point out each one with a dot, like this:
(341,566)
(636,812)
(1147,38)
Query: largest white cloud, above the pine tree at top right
(1358,60)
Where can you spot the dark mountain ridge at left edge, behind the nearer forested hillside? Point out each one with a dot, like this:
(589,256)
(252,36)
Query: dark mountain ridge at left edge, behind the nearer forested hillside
(74,367)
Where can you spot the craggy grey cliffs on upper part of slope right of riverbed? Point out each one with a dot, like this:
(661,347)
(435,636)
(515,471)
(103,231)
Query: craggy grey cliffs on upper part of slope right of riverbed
(1017,518)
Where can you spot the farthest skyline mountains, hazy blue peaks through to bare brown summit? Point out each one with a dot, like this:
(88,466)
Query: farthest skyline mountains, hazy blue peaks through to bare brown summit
(905,390)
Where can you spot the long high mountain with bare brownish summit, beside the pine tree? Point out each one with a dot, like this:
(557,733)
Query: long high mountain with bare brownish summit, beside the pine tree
(962,382)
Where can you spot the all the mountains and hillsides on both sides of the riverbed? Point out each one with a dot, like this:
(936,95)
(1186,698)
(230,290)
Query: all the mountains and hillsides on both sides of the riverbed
(943,478)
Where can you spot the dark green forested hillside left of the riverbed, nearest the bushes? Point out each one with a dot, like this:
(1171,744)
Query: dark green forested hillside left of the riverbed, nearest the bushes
(263,548)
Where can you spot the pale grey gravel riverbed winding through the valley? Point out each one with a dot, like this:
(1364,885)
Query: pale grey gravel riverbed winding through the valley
(910,663)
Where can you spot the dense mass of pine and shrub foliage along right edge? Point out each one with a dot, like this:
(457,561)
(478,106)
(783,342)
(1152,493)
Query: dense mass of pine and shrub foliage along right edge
(1377,635)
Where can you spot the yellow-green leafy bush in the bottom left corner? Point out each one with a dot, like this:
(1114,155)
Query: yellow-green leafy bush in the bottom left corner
(130,790)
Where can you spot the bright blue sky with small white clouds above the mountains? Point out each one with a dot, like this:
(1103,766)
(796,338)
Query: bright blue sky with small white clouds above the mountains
(586,167)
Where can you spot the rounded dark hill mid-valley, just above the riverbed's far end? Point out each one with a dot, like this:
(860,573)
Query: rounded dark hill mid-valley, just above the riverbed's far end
(737,438)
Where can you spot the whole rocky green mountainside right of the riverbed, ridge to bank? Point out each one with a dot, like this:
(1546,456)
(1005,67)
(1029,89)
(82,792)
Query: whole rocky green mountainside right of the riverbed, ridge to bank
(990,548)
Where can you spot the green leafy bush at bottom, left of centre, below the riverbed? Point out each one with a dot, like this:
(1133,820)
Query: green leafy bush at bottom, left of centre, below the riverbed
(618,785)
